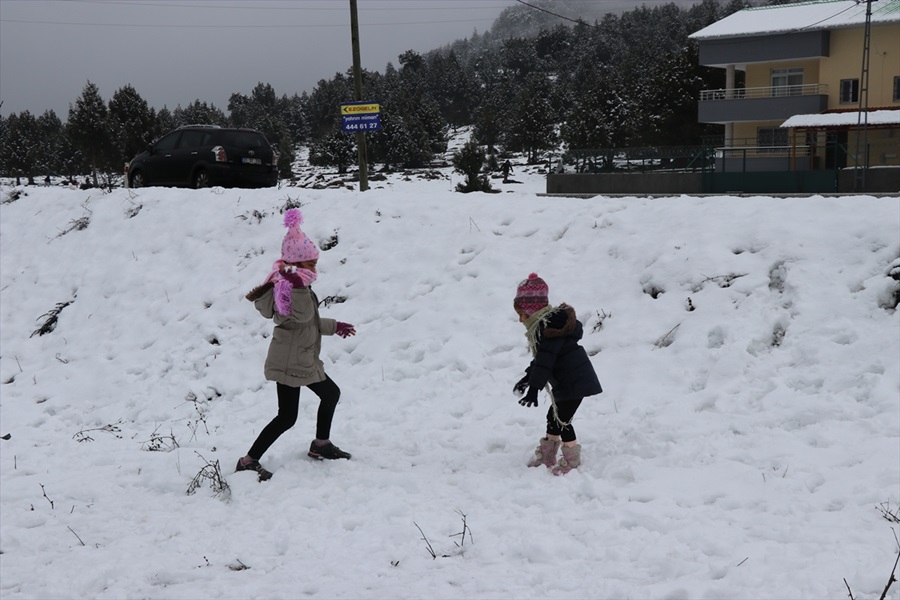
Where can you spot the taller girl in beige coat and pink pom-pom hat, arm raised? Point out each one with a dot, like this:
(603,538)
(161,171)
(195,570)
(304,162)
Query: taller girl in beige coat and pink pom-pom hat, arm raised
(293,360)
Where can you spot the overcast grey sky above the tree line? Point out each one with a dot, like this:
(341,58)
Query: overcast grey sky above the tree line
(177,51)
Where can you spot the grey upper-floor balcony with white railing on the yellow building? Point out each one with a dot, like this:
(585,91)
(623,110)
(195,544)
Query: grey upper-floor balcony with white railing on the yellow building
(761,103)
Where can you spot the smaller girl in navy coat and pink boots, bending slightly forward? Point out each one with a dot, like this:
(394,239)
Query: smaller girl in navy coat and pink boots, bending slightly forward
(553,333)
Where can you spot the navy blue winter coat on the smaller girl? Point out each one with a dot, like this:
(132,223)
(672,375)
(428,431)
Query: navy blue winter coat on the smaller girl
(560,360)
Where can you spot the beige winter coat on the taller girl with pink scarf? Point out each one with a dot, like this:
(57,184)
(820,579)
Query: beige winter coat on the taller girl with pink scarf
(293,357)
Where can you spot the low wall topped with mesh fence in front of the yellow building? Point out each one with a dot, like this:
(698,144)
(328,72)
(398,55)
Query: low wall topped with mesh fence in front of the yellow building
(821,164)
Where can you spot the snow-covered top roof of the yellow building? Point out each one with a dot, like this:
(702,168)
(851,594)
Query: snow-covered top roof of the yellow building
(803,16)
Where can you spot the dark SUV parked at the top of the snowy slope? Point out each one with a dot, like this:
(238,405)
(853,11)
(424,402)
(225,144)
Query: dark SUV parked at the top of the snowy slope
(203,155)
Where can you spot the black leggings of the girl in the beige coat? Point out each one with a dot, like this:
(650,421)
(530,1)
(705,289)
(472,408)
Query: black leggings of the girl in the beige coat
(288,406)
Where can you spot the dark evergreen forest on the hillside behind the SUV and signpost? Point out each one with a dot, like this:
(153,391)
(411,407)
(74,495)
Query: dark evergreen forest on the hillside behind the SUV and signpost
(531,84)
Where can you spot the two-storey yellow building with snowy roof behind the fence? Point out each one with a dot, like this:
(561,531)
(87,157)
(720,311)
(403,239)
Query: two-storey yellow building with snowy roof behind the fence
(809,99)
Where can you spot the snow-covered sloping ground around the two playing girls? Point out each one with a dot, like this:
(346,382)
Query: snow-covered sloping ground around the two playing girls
(747,444)
